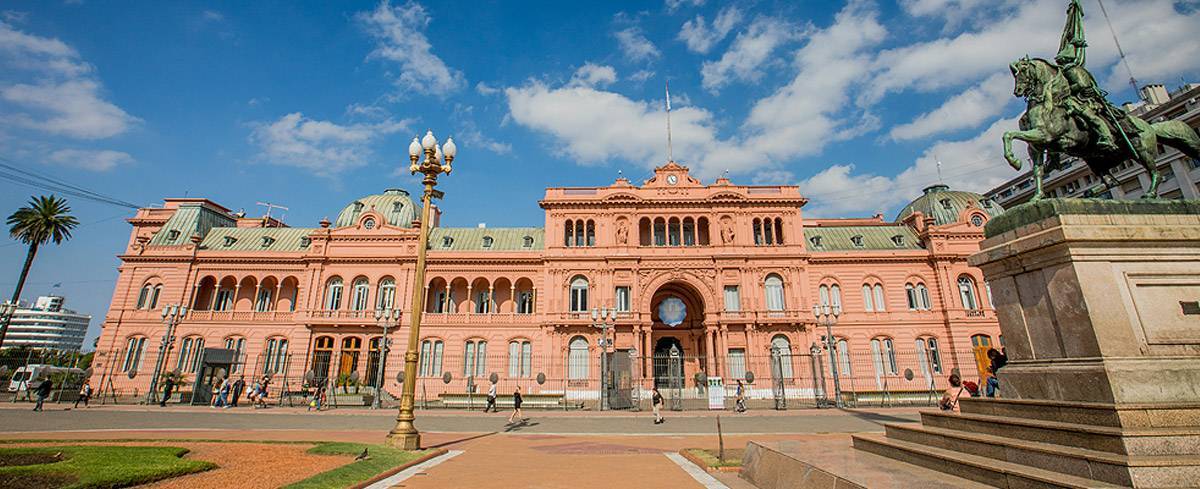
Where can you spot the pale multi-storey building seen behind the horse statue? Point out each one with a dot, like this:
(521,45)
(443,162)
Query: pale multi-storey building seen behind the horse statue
(1180,174)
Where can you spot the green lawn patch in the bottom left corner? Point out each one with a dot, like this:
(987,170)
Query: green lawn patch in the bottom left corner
(93,467)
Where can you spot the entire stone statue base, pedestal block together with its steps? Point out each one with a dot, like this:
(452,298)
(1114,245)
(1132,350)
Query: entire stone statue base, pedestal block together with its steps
(1100,306)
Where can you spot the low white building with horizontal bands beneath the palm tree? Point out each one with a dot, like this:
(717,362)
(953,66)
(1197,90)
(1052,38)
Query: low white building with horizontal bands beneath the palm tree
(46,324)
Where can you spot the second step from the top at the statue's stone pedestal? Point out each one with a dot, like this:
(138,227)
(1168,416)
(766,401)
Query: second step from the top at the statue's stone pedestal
(1126,442)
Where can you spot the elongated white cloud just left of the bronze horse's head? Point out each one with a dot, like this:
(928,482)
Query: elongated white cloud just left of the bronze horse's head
(968,110)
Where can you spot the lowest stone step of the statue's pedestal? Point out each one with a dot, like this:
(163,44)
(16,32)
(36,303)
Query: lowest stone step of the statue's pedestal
(991,472)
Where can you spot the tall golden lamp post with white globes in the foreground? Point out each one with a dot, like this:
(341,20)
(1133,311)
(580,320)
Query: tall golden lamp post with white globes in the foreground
(436,161)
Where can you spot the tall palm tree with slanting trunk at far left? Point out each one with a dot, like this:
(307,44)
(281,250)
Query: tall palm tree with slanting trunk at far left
(45,219)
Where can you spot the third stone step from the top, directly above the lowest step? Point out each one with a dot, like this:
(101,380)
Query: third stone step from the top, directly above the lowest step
(1091,464)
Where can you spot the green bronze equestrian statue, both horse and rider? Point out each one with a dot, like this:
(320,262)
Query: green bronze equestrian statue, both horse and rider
(1067,113)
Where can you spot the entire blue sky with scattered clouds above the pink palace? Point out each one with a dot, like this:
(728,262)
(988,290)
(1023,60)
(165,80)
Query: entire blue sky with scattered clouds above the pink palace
(311,105)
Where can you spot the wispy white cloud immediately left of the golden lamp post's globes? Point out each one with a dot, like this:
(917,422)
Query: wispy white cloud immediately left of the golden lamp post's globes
(322,148)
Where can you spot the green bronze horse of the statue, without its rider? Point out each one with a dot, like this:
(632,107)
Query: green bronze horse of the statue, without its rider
(1052,129)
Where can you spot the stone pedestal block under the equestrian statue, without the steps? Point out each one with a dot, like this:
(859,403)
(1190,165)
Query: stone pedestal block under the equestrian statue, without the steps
(1099,300)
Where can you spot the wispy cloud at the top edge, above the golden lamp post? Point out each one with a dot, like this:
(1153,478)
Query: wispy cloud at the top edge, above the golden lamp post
(400,37)
